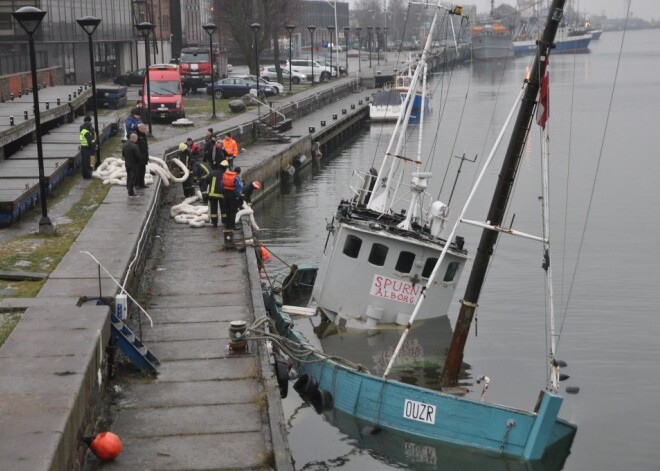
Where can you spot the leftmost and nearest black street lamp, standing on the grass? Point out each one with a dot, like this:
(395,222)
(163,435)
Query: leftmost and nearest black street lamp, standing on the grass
(30,18)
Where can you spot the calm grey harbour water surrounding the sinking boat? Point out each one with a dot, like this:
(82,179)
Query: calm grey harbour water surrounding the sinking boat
(604,192)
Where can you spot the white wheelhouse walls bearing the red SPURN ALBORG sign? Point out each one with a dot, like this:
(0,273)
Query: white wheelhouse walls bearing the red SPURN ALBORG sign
(365,260)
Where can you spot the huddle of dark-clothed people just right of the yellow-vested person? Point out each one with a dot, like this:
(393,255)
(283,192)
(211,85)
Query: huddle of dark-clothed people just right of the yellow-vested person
(135,152)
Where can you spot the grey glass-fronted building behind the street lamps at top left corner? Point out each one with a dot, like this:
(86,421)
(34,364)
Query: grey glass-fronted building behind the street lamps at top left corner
(60,41)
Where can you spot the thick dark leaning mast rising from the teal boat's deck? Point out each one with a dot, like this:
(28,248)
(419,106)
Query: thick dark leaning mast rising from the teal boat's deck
(500,199)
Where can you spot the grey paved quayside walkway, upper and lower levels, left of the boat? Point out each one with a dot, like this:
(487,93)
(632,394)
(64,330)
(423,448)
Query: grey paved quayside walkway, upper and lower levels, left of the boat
(206,410)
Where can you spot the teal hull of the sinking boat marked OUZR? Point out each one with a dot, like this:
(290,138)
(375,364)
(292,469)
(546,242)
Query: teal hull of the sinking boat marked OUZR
(424,413)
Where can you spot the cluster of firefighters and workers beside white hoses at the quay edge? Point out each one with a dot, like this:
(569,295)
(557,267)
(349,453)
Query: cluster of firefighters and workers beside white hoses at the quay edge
(212,170)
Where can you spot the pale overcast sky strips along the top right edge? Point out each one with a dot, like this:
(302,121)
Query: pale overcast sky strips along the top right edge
(646,9)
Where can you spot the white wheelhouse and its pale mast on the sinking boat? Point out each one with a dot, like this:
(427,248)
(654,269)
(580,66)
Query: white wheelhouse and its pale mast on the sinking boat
(385,238)
